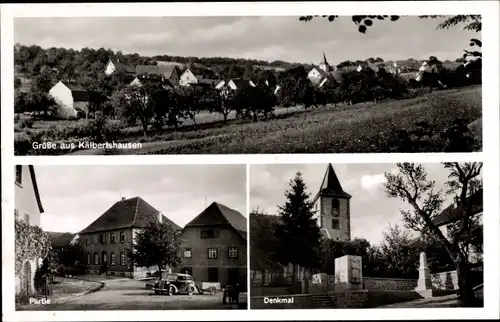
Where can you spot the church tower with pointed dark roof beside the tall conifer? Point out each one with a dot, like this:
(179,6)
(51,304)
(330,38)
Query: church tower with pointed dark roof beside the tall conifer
(332,207)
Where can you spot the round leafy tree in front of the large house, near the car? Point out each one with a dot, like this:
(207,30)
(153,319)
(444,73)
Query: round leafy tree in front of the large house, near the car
(158,244)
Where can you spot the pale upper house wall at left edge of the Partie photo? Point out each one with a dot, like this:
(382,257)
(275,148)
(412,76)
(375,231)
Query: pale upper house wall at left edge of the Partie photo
(25,200)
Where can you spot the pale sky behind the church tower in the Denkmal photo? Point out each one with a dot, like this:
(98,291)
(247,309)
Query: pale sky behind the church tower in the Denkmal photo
(371,210)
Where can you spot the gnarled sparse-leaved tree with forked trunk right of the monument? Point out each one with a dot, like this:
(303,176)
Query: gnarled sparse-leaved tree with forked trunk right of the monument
(412,186)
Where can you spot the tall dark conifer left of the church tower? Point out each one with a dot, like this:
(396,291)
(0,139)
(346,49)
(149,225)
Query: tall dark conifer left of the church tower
(298,235)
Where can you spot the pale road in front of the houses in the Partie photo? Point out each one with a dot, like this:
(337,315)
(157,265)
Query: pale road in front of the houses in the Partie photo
(132,295)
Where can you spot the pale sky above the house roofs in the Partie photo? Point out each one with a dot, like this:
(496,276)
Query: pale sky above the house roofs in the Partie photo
(74,196)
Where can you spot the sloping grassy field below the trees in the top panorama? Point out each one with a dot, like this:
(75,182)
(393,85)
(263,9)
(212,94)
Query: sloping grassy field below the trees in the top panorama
(391,126)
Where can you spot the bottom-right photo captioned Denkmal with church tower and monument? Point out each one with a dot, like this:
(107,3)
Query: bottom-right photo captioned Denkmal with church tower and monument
(366,236)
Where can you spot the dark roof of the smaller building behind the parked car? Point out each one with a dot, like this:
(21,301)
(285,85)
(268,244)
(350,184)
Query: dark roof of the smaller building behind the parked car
(219,214)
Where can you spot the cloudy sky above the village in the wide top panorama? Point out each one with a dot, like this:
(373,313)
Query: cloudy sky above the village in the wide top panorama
(261,37)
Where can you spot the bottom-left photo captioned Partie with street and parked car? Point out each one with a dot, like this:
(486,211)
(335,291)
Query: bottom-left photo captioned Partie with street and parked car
(169,237)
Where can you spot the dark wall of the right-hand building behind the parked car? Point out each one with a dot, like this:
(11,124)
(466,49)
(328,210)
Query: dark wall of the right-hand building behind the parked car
(199,261)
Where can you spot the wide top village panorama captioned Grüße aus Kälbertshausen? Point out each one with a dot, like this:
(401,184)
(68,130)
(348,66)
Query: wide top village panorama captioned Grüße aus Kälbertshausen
(233,85)
